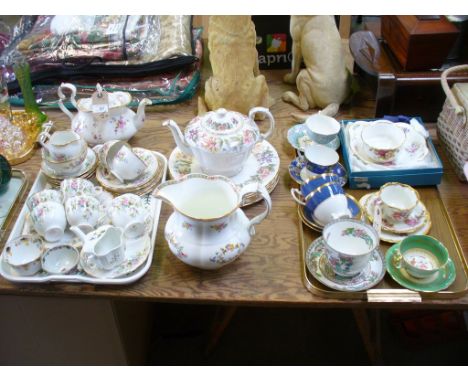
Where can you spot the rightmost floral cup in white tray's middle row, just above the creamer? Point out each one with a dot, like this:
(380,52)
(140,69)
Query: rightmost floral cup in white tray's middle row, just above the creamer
(127,212)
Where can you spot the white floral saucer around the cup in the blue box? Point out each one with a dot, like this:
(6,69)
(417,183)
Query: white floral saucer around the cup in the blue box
(414,148)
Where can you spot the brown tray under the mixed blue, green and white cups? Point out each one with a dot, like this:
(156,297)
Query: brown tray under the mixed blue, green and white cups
(388,289)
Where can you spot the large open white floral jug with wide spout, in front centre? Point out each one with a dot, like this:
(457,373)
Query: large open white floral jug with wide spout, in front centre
(207,228)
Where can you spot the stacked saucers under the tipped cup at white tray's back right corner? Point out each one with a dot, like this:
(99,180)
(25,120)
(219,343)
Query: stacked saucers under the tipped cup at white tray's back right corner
(146,183)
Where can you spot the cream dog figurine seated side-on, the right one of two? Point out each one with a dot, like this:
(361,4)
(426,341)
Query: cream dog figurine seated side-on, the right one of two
(325,82)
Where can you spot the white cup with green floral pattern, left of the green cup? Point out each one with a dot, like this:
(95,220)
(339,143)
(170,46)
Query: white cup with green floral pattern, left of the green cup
(349,244)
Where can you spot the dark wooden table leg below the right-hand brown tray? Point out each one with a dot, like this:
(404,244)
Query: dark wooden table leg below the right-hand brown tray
(370,336)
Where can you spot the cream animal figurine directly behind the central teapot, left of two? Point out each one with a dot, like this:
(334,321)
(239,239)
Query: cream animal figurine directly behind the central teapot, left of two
(236,83)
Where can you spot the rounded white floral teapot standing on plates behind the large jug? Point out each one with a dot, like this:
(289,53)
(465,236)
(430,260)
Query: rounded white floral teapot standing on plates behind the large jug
(221,140)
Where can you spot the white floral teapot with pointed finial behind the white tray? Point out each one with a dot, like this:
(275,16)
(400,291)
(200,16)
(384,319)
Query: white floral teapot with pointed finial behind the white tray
(104,116)
